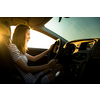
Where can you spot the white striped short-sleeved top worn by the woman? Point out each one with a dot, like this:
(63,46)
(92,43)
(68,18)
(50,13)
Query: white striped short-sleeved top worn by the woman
(16,55)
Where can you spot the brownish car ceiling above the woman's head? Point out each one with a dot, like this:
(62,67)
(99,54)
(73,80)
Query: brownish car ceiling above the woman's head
(31,21)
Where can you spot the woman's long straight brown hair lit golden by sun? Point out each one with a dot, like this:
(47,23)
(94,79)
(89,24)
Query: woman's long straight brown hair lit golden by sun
(19,38)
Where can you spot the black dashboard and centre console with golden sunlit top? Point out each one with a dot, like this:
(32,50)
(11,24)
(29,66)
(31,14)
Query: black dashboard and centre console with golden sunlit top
(77,57)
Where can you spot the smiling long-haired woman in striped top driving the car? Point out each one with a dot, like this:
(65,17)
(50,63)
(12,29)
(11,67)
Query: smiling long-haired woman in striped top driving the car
(18,49)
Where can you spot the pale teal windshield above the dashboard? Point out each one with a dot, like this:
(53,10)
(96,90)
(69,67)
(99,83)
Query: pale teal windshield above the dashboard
(74,28)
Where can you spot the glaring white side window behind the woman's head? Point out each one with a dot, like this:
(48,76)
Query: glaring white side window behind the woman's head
(37,39)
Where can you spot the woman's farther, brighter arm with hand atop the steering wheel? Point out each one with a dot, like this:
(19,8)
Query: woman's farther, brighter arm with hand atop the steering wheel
(39,56)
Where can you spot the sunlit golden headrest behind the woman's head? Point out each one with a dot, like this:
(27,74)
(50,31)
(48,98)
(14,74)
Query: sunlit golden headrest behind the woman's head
(5,28)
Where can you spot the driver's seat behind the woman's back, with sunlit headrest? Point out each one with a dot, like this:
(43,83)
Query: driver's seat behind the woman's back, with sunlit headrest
(8,72)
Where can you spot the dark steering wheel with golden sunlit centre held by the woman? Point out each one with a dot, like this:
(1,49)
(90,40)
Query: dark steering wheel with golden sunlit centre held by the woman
(56,50)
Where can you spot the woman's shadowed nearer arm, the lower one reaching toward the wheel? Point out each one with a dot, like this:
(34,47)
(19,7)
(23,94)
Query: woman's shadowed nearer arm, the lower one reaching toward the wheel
(33,69)
